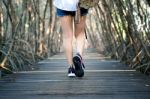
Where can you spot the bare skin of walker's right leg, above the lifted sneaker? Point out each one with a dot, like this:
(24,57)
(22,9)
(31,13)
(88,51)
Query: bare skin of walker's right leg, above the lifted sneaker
(80,35)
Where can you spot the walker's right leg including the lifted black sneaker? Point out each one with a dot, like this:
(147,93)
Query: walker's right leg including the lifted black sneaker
(80,40)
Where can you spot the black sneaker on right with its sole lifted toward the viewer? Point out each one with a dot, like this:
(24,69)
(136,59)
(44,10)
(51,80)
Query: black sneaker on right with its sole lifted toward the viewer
(79,66)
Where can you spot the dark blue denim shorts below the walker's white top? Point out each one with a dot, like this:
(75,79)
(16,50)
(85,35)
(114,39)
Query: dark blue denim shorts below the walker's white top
(61,13)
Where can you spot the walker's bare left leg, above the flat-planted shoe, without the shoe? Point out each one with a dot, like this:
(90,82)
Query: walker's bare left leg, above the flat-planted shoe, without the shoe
(67,28)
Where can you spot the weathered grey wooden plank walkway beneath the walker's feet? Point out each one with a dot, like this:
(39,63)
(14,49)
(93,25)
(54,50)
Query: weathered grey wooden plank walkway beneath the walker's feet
(104,79)
